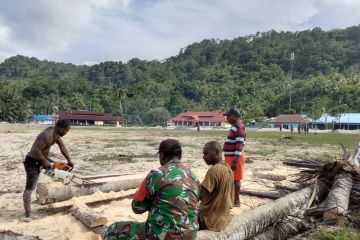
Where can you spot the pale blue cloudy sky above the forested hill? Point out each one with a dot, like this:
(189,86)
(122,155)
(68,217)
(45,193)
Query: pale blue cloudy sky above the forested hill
(93,31)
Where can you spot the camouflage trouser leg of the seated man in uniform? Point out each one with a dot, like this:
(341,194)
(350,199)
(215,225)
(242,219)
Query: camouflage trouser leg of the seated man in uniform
(126,230)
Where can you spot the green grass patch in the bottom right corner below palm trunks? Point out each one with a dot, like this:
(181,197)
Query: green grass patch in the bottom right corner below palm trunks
(340,233)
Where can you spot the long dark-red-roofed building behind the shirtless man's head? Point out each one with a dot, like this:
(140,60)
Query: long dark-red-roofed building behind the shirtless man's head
(83,117)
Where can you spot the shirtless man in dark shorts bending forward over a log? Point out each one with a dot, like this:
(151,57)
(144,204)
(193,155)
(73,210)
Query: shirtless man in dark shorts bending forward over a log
(39,157)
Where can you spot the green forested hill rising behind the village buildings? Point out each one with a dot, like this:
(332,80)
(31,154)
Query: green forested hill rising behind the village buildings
(252,72)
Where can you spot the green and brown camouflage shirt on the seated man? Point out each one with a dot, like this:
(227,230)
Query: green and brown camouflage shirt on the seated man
(171,195)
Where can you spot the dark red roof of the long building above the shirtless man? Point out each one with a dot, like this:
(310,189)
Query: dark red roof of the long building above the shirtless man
(88,115)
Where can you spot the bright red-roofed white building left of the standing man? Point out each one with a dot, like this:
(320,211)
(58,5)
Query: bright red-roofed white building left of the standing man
(203,119)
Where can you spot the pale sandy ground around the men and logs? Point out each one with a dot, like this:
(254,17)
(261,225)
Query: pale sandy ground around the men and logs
(99,151)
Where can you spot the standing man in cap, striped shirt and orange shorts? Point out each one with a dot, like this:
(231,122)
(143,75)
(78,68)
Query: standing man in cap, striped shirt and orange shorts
(233,149)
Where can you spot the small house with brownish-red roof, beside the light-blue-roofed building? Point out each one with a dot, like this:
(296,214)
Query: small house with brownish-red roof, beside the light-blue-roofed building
(288,120)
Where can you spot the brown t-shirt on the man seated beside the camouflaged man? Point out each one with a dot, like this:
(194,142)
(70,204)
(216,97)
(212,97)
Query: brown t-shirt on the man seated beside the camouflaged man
(215,206)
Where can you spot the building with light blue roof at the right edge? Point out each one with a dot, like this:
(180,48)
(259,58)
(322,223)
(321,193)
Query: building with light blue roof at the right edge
(348,121)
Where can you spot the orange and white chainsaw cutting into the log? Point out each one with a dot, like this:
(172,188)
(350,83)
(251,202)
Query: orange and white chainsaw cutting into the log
(62,171)
